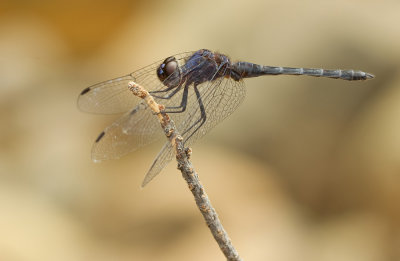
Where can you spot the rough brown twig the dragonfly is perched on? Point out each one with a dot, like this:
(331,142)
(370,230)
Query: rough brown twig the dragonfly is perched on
(188,173)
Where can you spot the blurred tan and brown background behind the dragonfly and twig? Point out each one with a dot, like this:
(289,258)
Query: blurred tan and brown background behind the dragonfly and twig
(305,169)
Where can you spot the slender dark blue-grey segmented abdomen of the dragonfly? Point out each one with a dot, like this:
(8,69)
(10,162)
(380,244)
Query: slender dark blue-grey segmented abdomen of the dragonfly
(248,70)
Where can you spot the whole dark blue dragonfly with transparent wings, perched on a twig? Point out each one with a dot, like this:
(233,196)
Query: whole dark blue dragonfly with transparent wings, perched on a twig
(198,89)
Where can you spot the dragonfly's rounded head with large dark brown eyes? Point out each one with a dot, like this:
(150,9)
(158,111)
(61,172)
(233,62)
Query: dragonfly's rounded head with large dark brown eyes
(169,72)
